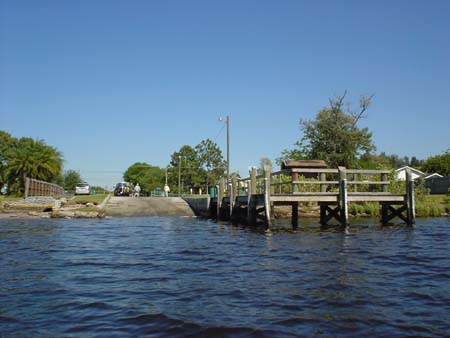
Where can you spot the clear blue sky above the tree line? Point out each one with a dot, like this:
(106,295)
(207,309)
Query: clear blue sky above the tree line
(110,83)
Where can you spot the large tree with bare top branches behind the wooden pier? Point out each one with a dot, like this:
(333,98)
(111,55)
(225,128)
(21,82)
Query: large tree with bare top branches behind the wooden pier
(333,136)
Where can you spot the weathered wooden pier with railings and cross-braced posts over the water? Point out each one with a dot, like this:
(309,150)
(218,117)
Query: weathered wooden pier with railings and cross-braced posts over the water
(251,200)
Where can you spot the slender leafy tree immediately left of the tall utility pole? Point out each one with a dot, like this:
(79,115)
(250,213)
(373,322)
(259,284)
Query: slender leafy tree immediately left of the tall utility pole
(210,158)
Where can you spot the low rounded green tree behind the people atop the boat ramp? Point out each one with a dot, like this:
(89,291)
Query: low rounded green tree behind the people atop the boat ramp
(149,177)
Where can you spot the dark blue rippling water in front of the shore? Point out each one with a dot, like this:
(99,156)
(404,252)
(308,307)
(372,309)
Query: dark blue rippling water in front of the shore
(181,277)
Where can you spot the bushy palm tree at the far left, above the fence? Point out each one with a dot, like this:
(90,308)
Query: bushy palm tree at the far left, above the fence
(34,159)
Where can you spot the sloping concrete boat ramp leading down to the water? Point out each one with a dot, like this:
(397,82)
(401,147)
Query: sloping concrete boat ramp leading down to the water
(147,206)
